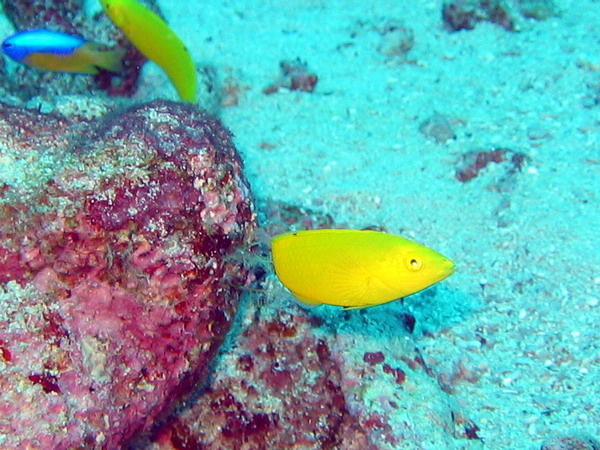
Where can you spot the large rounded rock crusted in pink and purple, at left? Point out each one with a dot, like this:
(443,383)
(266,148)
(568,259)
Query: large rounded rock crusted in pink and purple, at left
(116,275)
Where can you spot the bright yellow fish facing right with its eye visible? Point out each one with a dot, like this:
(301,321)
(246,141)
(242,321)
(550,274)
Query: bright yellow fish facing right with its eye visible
(354,268)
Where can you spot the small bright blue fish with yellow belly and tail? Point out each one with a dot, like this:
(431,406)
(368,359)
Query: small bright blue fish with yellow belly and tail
(57,51)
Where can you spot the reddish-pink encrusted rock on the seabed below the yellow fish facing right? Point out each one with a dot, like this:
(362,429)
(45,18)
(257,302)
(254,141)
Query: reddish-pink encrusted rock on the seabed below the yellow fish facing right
(278,387)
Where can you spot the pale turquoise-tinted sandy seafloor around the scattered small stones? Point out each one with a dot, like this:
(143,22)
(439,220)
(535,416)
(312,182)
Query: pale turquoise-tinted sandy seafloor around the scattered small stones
(526,244)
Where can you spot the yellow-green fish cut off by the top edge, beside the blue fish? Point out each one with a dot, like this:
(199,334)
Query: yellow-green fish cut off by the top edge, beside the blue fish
(156,41)
